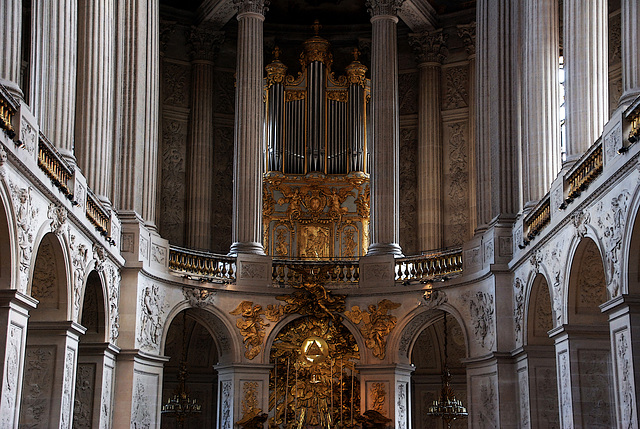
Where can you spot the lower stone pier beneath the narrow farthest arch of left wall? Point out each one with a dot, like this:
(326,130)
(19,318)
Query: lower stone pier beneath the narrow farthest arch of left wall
(95,384)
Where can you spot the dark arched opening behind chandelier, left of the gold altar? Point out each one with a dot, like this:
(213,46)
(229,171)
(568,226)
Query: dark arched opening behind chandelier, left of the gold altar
(193,354)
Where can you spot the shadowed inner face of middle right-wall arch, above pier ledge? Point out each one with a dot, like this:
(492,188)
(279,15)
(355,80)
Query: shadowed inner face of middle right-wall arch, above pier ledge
(586,284)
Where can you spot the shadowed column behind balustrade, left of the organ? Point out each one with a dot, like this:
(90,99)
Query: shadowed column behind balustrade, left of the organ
(203,44)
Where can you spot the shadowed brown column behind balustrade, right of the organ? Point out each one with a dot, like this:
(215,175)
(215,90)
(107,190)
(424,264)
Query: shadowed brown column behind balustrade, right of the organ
(430,51)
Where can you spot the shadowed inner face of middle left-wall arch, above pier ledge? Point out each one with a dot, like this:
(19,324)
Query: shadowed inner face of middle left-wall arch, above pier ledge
(50,281)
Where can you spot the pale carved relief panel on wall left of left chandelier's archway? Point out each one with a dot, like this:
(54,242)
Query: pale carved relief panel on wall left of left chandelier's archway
(152,310)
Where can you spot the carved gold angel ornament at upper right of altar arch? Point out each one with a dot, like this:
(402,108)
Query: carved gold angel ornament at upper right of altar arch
(375,324)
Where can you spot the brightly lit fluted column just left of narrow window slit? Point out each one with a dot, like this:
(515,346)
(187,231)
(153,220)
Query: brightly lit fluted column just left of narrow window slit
(541,142)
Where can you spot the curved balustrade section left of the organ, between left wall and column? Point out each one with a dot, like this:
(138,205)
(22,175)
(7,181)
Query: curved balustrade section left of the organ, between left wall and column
(203,266)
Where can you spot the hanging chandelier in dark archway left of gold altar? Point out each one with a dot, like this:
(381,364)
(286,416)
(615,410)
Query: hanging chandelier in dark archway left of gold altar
(180,405)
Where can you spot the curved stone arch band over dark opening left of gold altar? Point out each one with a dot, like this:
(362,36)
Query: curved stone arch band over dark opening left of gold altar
(229,348)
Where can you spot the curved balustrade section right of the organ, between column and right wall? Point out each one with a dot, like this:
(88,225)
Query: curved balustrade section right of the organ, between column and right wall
(430,266)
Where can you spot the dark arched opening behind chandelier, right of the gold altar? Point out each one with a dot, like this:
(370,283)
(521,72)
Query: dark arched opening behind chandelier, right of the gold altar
(428,356)
